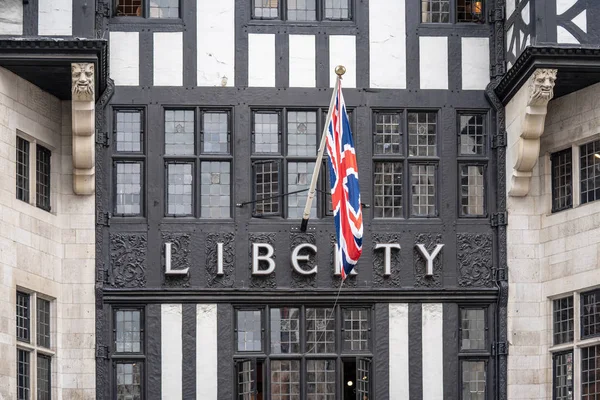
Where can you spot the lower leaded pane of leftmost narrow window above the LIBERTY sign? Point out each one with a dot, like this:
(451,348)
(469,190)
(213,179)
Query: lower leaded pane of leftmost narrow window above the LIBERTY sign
(129,188)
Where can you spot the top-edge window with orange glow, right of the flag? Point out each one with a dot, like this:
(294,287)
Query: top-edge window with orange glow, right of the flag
(441,11)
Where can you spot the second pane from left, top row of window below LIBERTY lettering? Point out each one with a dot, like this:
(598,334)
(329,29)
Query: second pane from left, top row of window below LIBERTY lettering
(285,330)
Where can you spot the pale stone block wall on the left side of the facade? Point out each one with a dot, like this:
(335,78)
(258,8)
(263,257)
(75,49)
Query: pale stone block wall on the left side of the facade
(51,253)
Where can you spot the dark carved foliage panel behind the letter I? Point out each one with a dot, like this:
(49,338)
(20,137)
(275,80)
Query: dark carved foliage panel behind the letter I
(212,259)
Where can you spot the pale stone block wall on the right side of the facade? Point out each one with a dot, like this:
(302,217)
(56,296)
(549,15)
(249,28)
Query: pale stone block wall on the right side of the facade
(549,254)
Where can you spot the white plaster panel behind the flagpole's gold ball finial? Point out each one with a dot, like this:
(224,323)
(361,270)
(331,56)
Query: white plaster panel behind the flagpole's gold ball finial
(342,51)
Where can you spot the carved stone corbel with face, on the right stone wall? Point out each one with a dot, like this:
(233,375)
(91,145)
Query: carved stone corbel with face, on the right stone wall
(527,149)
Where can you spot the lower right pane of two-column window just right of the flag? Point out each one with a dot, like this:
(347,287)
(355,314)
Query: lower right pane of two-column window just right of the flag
(423,178)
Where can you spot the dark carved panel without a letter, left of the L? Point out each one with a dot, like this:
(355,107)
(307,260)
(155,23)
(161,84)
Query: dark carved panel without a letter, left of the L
(128,260)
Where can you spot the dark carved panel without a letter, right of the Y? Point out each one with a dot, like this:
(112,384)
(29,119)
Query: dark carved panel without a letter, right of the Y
(474,259)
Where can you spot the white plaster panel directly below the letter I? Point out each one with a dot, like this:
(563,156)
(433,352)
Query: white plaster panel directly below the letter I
(206,351)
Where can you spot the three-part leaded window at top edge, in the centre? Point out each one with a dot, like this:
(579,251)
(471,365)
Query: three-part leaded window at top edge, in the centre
(302,10)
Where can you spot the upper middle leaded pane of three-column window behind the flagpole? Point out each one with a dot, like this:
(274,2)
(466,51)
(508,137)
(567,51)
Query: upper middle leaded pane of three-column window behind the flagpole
(302,133)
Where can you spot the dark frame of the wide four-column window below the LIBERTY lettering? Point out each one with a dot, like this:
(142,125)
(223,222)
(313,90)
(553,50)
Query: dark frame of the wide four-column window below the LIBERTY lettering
(262,359)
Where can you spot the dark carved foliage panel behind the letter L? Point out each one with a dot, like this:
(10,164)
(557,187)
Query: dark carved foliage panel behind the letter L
(180,258)
